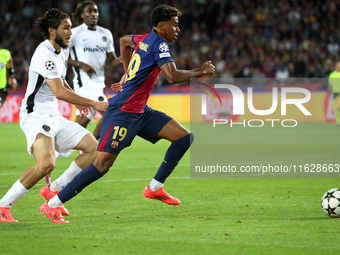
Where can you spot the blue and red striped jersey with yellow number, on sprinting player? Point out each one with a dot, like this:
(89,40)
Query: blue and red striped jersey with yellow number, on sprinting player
(150,53)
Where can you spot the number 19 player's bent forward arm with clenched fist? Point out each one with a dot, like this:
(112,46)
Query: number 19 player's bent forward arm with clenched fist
(175,76)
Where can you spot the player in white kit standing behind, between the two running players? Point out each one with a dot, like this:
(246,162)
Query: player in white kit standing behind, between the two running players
(90,46)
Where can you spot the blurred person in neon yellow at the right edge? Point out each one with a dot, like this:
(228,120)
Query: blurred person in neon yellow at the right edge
(334,86)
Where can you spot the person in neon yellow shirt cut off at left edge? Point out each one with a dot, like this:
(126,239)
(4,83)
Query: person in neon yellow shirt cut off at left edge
(6,62)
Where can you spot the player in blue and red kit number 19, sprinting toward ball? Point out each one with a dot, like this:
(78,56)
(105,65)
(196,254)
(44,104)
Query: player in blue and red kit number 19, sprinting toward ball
(128,115)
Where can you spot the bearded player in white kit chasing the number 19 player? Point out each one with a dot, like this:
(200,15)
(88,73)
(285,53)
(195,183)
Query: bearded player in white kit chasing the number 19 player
(45,129)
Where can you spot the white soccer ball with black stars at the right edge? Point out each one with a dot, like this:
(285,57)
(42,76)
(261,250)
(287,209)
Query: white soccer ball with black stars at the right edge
(330,203)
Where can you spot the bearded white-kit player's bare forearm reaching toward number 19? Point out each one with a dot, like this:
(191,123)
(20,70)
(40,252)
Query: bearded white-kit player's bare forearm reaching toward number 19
(63,93)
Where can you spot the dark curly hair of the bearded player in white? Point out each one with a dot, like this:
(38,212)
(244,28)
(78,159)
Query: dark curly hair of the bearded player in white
(51,18)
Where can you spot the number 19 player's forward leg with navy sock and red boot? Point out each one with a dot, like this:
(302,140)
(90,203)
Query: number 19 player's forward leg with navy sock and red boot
(181,140)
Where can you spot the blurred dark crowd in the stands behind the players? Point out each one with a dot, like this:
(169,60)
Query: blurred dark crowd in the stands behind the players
(243,38)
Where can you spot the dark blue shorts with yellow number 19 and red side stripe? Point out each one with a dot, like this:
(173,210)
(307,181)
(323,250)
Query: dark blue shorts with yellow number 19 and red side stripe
(119,128)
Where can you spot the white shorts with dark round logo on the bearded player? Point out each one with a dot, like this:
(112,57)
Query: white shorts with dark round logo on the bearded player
(66,134)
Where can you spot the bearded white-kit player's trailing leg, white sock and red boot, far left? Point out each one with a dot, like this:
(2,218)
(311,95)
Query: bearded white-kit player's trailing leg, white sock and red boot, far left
(43,151)
